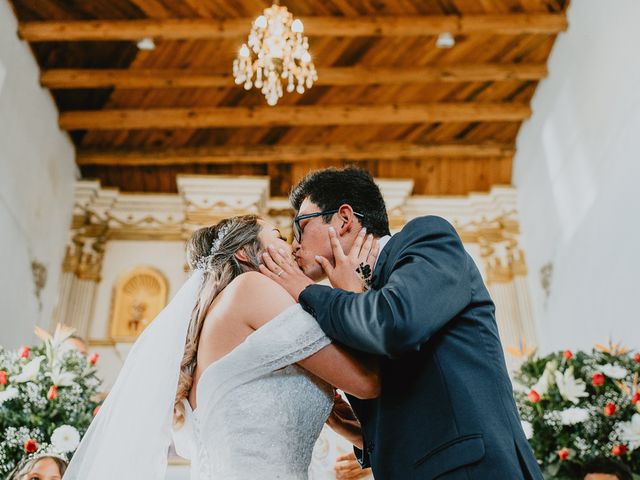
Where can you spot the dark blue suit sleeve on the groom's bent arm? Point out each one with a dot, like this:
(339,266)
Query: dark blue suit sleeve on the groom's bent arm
(428,286)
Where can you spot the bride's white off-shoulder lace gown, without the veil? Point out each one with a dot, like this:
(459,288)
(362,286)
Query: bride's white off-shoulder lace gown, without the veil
(258,413)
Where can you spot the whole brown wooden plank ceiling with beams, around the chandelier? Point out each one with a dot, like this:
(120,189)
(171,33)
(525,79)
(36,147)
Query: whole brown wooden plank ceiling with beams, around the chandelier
(387,97)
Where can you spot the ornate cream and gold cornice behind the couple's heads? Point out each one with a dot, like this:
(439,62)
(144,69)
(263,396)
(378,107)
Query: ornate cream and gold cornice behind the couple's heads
(487,219)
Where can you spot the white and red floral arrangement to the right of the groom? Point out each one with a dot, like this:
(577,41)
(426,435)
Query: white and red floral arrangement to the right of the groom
(578,408)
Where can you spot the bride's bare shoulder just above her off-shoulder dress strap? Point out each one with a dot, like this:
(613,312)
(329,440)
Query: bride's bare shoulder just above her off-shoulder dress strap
(257,298)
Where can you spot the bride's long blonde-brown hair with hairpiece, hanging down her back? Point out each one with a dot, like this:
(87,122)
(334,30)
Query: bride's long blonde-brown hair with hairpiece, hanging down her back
(212,249)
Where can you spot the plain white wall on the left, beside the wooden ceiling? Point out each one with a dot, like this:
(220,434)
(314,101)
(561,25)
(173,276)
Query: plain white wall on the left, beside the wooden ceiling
(37,174)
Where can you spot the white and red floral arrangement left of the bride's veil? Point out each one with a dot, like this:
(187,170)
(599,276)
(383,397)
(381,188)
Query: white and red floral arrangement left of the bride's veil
(48,397)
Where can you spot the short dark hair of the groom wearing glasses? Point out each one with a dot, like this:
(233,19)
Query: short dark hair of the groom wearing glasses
(331,187)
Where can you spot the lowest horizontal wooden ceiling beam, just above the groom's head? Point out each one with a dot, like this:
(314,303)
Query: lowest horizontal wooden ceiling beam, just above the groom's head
(272,154)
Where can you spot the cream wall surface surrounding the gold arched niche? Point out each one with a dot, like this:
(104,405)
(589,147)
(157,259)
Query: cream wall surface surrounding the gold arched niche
(122,256)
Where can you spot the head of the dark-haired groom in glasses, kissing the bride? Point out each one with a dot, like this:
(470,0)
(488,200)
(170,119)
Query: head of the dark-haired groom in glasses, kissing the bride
(353,200)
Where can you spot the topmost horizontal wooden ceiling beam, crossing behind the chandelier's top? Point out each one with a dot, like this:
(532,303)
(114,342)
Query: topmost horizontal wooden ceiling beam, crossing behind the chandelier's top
(175,29)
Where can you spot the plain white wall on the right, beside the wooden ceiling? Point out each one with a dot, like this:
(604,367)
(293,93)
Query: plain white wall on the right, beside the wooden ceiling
(577,170)
